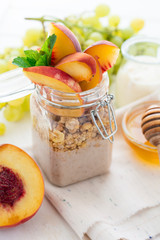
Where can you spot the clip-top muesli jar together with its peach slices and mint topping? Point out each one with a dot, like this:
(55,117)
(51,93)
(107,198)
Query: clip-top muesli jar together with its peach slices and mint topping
(72,115)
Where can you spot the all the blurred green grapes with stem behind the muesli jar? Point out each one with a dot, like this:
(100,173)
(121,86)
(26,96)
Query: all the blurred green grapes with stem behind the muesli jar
(88,27)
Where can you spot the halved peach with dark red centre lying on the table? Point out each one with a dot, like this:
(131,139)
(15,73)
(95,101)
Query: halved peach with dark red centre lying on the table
(21,186)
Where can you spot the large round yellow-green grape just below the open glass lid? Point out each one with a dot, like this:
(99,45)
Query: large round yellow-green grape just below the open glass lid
(13,114)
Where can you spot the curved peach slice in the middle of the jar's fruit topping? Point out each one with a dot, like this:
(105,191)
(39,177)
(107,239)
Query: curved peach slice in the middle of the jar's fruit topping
(80,66)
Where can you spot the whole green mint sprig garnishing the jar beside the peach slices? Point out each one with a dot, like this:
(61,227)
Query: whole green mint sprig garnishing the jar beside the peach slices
(37,58)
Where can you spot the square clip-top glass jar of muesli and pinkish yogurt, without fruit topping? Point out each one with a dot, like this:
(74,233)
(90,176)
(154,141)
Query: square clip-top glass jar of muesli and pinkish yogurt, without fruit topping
(73,132)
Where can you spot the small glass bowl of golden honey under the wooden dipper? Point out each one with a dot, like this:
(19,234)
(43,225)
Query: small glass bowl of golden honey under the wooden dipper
(131,125)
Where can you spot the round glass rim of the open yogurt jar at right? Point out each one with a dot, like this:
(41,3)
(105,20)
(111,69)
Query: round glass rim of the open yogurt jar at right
(139,39)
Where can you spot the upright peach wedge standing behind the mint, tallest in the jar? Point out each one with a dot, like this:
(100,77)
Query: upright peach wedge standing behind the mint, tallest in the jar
(66,42)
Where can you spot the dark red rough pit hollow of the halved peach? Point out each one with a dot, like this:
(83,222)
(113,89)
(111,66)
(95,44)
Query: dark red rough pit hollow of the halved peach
(11,187)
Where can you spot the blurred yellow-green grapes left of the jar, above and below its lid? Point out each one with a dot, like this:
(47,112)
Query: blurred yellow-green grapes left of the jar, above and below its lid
(15,110)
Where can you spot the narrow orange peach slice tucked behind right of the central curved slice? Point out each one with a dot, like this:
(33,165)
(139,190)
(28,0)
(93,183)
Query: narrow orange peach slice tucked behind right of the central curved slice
(94,81)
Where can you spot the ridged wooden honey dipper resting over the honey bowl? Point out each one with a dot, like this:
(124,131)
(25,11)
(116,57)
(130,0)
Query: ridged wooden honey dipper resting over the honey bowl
(151,126)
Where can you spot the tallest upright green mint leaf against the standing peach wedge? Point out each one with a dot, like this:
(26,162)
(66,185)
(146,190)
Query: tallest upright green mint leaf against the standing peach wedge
(48,47)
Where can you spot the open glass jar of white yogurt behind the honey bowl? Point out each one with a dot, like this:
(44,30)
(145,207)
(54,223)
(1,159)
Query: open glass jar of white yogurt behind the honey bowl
(140,73)
